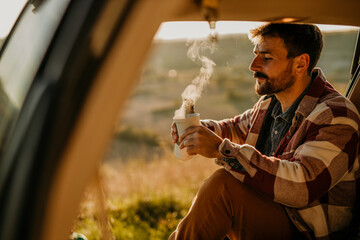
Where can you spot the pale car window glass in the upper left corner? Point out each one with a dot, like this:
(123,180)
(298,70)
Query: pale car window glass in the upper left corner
(22,55)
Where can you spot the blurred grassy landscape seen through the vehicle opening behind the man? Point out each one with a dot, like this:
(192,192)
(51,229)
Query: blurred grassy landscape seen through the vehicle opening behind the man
(147,191)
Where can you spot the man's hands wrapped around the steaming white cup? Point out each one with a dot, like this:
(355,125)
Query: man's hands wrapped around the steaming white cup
(200,140)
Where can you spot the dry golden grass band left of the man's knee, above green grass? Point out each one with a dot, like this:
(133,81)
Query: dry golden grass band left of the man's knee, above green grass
(166,176)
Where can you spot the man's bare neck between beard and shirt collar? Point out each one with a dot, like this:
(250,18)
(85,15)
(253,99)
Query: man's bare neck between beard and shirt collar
(289,96)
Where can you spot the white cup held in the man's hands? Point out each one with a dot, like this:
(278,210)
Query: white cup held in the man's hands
(192,119)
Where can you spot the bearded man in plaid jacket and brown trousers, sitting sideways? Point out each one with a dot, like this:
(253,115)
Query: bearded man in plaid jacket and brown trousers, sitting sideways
(290,162)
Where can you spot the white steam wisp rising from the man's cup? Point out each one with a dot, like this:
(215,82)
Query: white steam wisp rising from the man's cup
(193,91)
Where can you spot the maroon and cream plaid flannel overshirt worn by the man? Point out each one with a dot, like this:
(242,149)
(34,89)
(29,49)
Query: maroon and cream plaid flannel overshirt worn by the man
(313,171)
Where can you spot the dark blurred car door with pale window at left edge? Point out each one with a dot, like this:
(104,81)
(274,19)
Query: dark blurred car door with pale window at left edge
(48,64)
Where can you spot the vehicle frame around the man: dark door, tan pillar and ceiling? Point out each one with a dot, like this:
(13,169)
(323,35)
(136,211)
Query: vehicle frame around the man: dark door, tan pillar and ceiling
(77,64)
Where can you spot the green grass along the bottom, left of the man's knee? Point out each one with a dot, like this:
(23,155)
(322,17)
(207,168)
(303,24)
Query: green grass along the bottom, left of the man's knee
(141,219)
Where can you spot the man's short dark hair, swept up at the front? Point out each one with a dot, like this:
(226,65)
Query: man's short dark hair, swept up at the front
(299,38)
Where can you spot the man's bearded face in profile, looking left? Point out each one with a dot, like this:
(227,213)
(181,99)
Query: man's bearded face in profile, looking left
(272,70)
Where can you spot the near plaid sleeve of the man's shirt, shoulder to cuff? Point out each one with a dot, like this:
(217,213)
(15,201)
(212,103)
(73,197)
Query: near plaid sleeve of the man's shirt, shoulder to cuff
(326,155)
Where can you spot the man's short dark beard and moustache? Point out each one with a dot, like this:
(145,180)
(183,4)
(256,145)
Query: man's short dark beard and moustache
(278,84)
